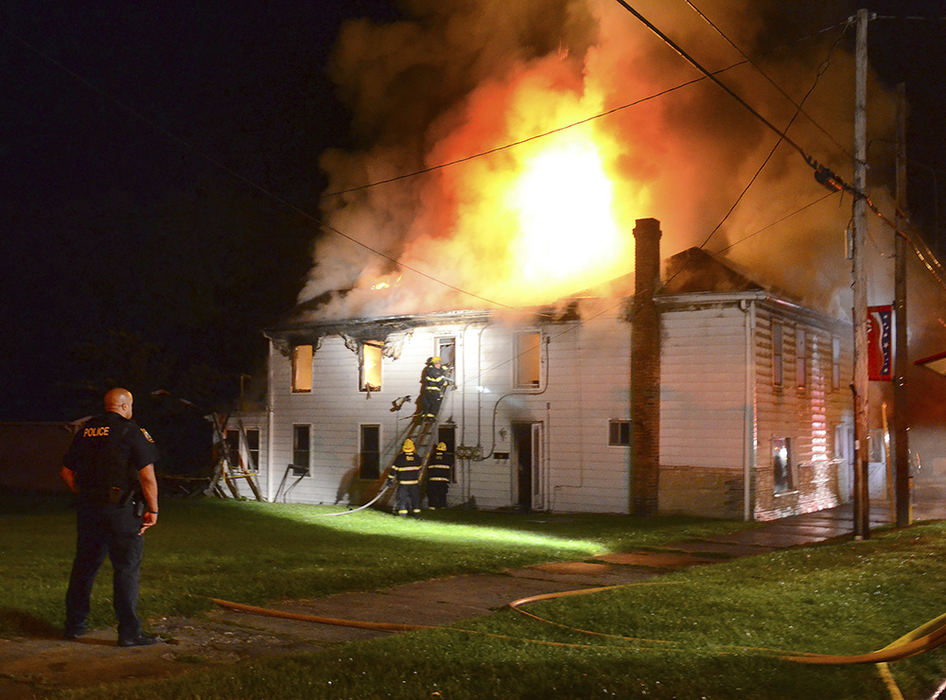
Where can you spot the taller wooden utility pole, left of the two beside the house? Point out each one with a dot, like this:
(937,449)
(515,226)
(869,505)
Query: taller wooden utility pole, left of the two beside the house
(861,384)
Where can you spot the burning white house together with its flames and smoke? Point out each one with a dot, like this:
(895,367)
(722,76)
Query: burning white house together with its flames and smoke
(489,181)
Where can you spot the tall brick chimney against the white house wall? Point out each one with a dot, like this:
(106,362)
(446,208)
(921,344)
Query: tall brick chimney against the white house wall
(645,370)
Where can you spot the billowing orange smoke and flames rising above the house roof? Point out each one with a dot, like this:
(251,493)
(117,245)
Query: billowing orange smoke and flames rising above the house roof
(463,77)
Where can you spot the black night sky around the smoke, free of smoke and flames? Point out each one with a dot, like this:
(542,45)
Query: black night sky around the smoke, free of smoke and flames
(158,159)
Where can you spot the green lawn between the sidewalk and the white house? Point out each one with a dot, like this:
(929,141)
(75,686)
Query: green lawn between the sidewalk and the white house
(259,552)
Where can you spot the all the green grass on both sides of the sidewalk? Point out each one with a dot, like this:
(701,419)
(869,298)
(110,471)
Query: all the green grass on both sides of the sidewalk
(713,631)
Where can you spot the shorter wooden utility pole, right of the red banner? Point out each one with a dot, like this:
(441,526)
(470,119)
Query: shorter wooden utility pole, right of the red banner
(901,436)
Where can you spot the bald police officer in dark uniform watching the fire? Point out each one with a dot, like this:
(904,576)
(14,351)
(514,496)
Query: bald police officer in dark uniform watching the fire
(110,465)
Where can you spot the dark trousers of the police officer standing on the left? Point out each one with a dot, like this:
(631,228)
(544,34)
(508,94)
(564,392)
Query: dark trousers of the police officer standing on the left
(101,530)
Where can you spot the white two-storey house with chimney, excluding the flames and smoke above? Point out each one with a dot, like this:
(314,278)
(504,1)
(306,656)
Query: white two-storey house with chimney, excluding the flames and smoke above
(749,416)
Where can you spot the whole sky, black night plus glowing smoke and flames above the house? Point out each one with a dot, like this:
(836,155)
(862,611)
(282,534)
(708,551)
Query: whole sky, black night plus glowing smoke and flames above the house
(166,164)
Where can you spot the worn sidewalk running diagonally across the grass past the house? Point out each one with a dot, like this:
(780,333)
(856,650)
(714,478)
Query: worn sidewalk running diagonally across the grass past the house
(30,667)
